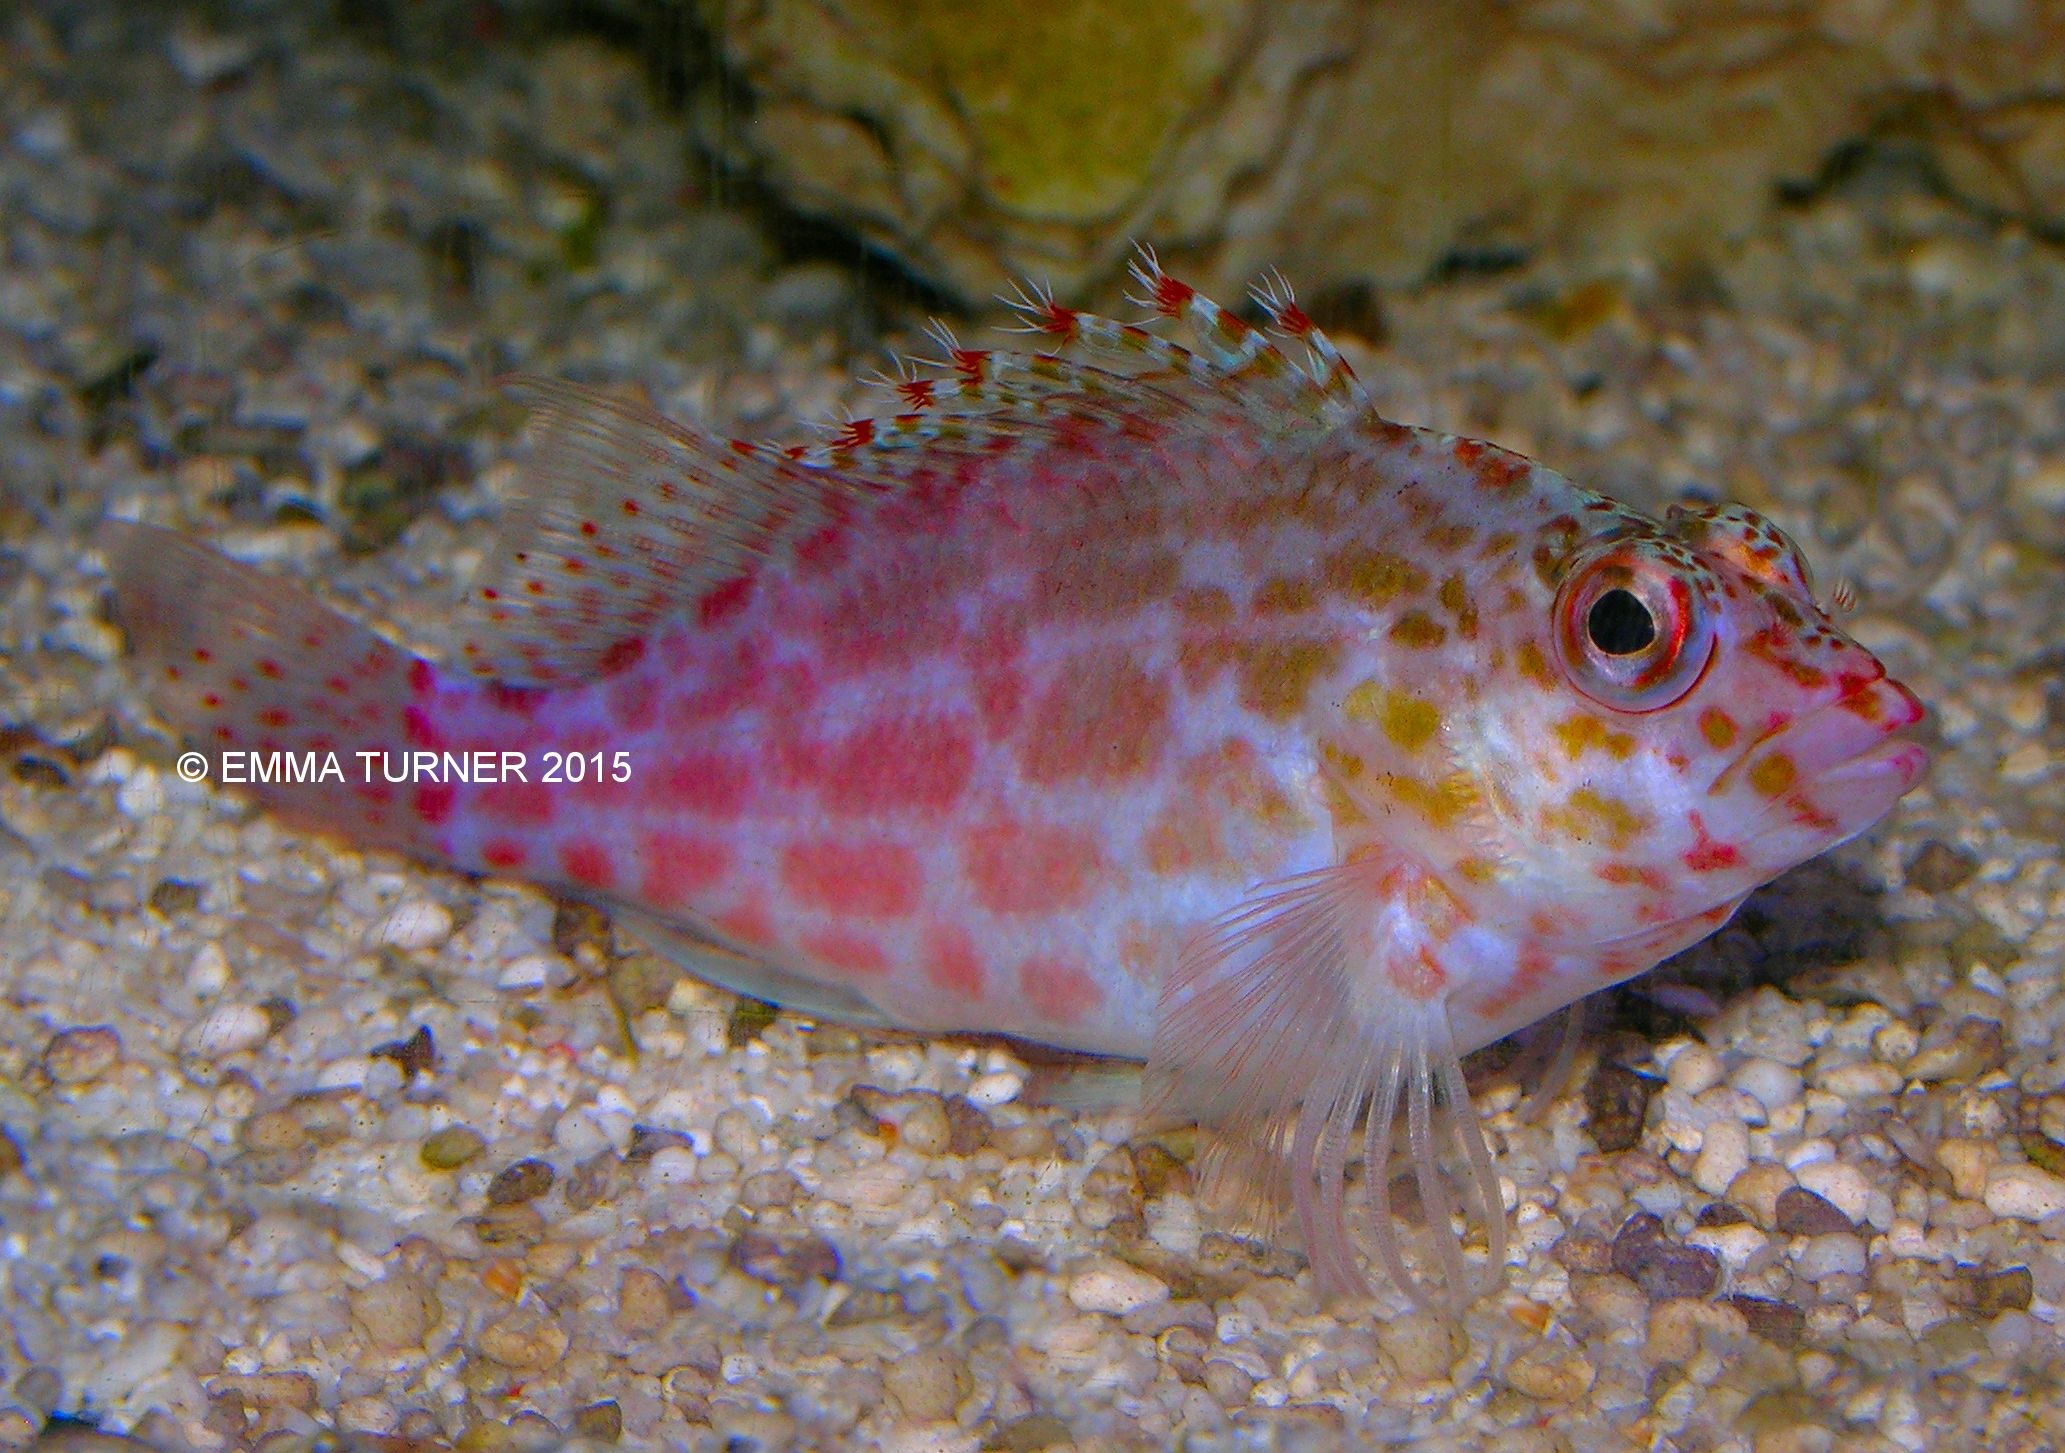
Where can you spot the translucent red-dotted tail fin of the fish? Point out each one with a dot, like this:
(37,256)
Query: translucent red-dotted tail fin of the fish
(249,664)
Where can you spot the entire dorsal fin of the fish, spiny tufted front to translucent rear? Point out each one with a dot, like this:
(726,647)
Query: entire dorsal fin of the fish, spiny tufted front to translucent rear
(627,519)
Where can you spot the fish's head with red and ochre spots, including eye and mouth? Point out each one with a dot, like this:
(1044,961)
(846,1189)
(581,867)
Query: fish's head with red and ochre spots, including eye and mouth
(1707,728)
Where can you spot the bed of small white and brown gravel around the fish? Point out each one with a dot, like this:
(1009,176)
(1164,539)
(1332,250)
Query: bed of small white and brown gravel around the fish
(309,1140)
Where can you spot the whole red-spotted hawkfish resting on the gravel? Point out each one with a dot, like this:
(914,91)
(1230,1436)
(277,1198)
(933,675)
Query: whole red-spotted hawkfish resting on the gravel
(1135,699)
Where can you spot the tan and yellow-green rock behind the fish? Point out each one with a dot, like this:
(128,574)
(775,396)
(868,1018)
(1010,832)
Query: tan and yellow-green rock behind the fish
(1356,141)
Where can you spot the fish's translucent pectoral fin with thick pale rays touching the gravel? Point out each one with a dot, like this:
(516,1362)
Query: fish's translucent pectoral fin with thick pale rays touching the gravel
(1302,1031)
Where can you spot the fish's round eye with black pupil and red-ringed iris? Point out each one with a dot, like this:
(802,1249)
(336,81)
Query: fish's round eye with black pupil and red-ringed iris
(1634,624)
